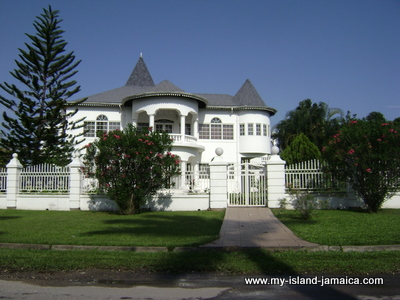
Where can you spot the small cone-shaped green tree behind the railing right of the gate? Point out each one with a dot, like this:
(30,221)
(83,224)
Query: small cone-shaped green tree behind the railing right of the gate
(300,149)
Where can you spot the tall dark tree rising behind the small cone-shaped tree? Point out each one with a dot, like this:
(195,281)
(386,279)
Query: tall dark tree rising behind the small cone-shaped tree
(316,121)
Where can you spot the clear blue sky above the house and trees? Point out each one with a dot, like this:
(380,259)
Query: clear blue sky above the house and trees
(341,52)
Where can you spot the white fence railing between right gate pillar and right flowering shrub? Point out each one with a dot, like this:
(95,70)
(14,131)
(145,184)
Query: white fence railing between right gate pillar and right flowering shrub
(308,175)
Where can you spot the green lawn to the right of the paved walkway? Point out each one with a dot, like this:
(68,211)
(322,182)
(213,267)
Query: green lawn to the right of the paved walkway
(345,227)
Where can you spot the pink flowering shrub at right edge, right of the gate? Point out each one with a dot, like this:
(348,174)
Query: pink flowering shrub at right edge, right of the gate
(367,155)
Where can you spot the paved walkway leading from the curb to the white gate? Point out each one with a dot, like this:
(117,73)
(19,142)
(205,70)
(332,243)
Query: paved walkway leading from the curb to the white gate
(255,227)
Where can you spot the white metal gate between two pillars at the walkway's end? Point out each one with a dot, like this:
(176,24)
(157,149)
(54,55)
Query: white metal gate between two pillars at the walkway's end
(247,185)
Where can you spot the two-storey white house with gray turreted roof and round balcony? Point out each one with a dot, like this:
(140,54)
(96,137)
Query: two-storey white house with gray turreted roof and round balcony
(197,122)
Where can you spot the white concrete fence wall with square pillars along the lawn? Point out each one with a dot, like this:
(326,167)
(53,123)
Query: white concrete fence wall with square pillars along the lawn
(11,197)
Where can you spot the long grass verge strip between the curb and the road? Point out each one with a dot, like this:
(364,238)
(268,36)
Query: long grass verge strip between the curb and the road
(256,261)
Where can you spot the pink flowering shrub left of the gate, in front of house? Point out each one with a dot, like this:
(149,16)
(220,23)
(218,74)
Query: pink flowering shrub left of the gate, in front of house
(131,165)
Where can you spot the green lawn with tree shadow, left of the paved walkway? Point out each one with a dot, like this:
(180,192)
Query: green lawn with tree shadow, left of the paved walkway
(163,229)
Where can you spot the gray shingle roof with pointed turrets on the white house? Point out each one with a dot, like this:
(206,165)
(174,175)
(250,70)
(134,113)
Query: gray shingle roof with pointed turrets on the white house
(141,82)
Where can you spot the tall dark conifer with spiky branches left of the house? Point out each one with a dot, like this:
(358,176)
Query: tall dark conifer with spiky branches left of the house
(39,130)
